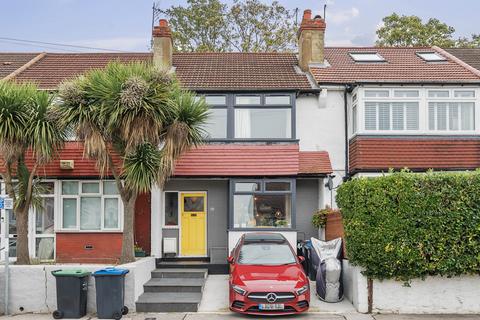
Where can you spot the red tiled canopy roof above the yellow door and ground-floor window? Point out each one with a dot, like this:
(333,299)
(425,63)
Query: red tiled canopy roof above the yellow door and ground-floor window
(251,160)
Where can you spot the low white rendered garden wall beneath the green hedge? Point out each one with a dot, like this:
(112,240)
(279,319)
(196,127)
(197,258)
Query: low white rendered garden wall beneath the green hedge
(436,295)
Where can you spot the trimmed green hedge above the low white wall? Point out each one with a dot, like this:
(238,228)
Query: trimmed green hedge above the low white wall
(409,225)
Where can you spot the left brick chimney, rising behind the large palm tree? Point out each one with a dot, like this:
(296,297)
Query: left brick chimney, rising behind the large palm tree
(162,45)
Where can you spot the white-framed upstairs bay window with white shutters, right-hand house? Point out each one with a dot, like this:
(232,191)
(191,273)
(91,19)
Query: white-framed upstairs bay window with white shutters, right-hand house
(414,110)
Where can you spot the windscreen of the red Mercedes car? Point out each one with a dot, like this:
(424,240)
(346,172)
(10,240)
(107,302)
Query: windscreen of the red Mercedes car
(270,254)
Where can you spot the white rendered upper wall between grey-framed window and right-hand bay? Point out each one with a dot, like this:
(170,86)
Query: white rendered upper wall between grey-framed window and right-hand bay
(321,127)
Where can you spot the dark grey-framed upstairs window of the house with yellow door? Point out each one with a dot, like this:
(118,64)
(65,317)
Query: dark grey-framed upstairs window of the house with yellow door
(250,116)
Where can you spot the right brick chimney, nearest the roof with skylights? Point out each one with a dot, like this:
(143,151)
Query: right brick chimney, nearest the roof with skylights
(311,40)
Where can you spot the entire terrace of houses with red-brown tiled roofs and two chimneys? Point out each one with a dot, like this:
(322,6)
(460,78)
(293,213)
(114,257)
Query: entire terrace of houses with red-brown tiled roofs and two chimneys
(281,125)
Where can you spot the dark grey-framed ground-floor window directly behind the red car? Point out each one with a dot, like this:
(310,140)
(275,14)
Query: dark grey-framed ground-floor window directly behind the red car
(262,204)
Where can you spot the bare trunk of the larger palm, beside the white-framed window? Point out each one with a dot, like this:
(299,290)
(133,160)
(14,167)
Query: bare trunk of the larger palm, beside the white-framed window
(128,254)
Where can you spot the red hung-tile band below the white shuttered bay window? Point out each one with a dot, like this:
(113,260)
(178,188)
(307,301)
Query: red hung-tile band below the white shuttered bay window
(416,153)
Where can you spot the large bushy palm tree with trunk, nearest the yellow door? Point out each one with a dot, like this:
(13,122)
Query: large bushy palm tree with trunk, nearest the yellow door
(140,114)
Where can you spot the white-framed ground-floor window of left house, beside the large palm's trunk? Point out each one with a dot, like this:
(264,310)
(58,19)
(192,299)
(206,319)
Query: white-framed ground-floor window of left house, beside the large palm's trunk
(90,206)
